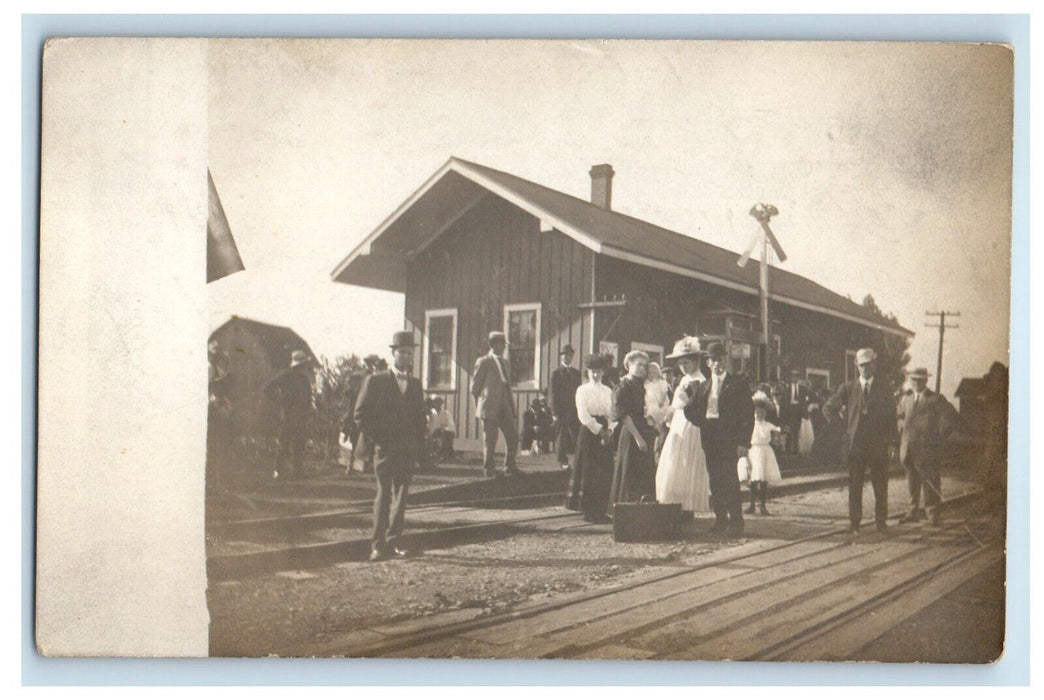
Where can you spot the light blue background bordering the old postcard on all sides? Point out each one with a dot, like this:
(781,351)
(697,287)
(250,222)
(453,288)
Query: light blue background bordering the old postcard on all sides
(1012,670)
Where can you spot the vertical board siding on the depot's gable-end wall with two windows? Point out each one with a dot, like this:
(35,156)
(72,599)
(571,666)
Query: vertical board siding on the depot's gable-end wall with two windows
(493,256)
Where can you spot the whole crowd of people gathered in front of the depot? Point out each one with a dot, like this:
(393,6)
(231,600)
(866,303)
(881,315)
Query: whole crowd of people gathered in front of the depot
(689,433)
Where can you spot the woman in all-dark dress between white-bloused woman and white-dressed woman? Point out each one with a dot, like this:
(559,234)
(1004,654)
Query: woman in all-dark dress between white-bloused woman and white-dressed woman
(635,473)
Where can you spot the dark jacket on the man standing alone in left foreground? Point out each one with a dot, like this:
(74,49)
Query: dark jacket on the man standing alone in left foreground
(392,422)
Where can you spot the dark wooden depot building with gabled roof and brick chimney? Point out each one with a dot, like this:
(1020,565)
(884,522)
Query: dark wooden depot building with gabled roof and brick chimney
(476,250)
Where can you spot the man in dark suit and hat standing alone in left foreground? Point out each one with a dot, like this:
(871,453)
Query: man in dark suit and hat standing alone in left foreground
(392,421)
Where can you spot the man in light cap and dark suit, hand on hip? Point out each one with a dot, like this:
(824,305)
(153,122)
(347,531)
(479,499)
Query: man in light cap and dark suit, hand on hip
(868,411)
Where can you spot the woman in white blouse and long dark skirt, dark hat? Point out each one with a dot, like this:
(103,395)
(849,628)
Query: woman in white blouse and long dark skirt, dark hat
(594,466)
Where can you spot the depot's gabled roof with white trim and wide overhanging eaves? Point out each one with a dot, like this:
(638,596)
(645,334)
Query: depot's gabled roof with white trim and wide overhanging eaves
(459,184)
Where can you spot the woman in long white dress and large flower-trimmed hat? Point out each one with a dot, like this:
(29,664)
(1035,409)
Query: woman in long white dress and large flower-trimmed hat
(681,476)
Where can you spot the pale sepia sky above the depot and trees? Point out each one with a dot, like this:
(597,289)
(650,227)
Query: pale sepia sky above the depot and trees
(890,164)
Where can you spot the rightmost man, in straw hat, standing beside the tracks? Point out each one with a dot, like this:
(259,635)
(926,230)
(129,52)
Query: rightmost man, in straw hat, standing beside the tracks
(927,421)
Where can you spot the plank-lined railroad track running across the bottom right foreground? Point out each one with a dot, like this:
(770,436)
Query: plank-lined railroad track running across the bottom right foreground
(821,597)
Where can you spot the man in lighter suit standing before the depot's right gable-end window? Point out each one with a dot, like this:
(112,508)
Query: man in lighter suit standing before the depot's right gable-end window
(494,404)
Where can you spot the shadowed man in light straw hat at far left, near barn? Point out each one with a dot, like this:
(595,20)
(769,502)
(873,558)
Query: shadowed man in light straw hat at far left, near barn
(293,391)
